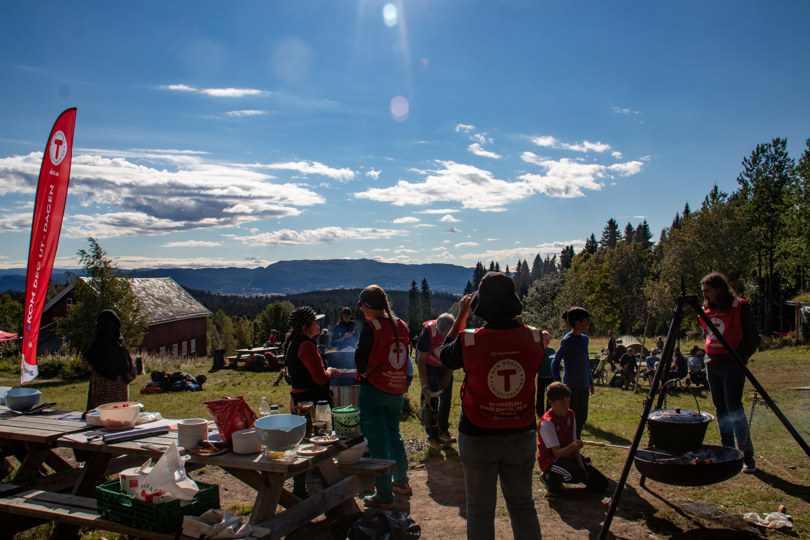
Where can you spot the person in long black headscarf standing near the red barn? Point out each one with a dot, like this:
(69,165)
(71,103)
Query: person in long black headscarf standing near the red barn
(111,367)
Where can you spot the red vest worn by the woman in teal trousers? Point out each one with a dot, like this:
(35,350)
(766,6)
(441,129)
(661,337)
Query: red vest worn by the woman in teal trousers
(387,363)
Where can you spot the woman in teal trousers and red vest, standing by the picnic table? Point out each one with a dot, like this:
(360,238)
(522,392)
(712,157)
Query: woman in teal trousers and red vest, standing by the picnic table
(381,358)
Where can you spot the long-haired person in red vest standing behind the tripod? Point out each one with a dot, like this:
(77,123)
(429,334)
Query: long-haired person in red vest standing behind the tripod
(733,318)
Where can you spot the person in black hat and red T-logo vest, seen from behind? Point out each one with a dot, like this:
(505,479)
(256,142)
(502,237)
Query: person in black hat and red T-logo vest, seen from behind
(497,437)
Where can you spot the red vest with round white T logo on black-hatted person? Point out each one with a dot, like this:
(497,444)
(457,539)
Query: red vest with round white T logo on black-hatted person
(498,392)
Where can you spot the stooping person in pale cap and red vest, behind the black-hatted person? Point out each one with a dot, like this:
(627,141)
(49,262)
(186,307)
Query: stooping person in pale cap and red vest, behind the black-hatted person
(437,380)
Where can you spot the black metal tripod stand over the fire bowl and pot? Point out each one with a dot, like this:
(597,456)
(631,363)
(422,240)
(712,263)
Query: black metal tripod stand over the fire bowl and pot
(669,348)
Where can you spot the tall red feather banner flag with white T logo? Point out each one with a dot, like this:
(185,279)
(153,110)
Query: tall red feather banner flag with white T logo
(49,207)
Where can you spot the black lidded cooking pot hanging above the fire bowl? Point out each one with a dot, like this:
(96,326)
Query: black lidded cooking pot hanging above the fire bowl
(678,429)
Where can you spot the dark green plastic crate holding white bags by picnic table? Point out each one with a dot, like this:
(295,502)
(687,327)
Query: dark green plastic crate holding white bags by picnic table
(157,517)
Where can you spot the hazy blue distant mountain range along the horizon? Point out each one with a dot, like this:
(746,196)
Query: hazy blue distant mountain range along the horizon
(290,277)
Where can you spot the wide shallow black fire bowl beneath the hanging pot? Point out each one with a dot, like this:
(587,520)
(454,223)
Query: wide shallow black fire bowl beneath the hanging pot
(704,466)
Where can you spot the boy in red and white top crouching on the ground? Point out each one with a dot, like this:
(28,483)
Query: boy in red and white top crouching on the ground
(559,457)
